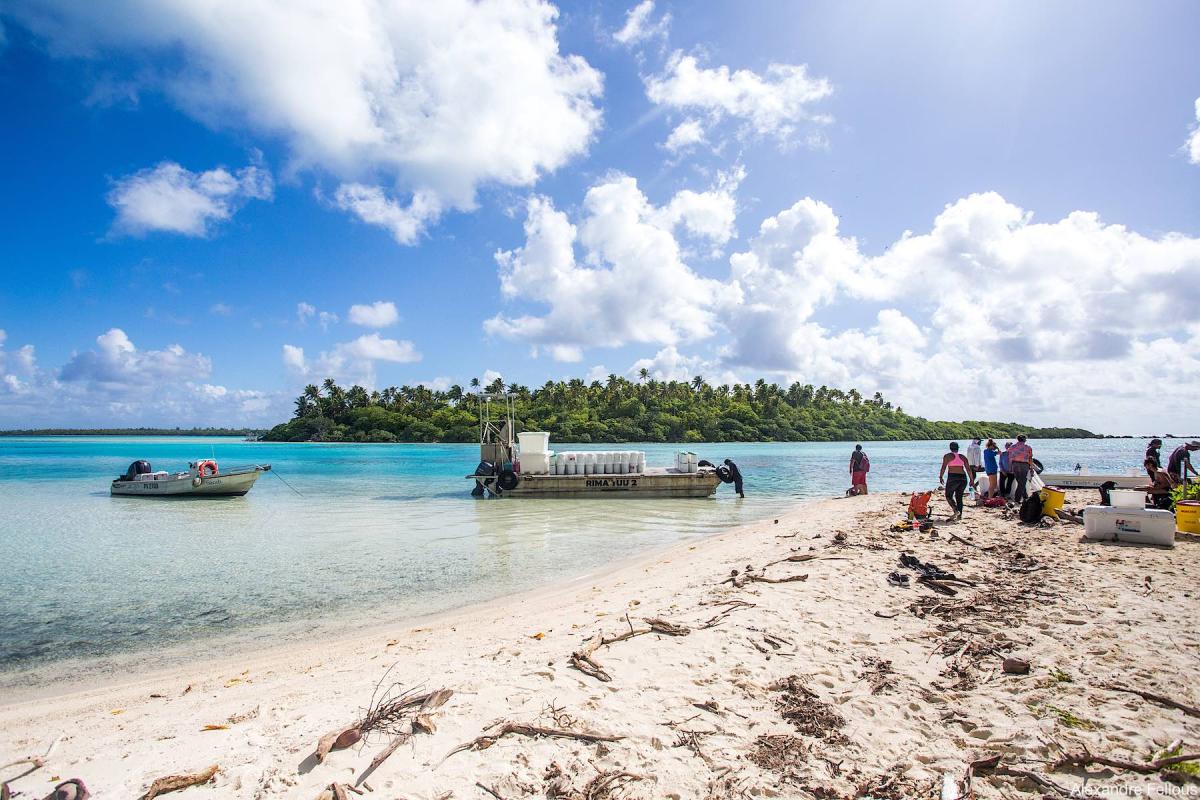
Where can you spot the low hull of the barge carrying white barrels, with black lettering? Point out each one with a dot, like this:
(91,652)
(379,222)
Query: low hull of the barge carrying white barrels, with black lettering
(665,484)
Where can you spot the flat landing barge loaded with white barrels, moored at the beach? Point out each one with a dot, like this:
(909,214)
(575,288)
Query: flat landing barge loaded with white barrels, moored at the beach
(527,468)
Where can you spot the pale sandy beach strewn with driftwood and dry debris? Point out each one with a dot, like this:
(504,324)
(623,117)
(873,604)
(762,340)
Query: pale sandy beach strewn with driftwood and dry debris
(835,687)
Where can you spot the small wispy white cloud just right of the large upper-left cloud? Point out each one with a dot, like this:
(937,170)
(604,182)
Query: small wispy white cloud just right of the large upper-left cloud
(776,104)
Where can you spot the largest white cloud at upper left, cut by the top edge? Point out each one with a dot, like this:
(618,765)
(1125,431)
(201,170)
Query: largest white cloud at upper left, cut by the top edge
(425,101)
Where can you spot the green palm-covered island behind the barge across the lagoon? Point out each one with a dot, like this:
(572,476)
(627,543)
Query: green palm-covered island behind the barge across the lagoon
(623,411)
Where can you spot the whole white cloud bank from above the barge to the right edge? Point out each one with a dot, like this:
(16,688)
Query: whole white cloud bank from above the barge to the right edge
(1075,321)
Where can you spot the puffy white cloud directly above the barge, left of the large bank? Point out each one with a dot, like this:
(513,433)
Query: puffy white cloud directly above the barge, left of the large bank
(632,284)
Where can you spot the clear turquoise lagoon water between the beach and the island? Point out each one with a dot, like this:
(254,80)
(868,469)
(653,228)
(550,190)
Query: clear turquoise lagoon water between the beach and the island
(98,585)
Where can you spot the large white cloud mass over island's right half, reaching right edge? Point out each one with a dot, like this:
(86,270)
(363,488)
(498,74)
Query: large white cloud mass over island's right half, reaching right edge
(1055,323)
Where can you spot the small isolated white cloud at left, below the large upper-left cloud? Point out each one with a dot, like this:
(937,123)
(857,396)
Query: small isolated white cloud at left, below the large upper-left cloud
(175,200)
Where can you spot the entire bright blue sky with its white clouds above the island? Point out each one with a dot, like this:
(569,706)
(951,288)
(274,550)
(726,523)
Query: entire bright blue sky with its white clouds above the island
(983,210)
